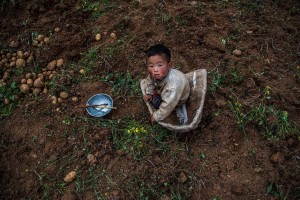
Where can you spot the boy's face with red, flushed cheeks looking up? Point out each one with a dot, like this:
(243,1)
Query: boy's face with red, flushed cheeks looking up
(158,67)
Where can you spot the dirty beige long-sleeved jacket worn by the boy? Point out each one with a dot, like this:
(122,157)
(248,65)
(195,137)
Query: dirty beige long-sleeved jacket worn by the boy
(174,90)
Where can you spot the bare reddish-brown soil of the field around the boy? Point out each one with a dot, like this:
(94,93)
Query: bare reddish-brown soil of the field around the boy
(215,161)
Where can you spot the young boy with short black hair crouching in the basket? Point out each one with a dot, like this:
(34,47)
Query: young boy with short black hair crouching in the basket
(167,88)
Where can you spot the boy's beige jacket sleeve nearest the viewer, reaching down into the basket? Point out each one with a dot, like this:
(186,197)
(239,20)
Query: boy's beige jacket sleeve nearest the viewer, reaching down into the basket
(170,98)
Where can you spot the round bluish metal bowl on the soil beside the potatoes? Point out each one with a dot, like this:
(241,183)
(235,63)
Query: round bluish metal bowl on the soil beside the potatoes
(99,99)
